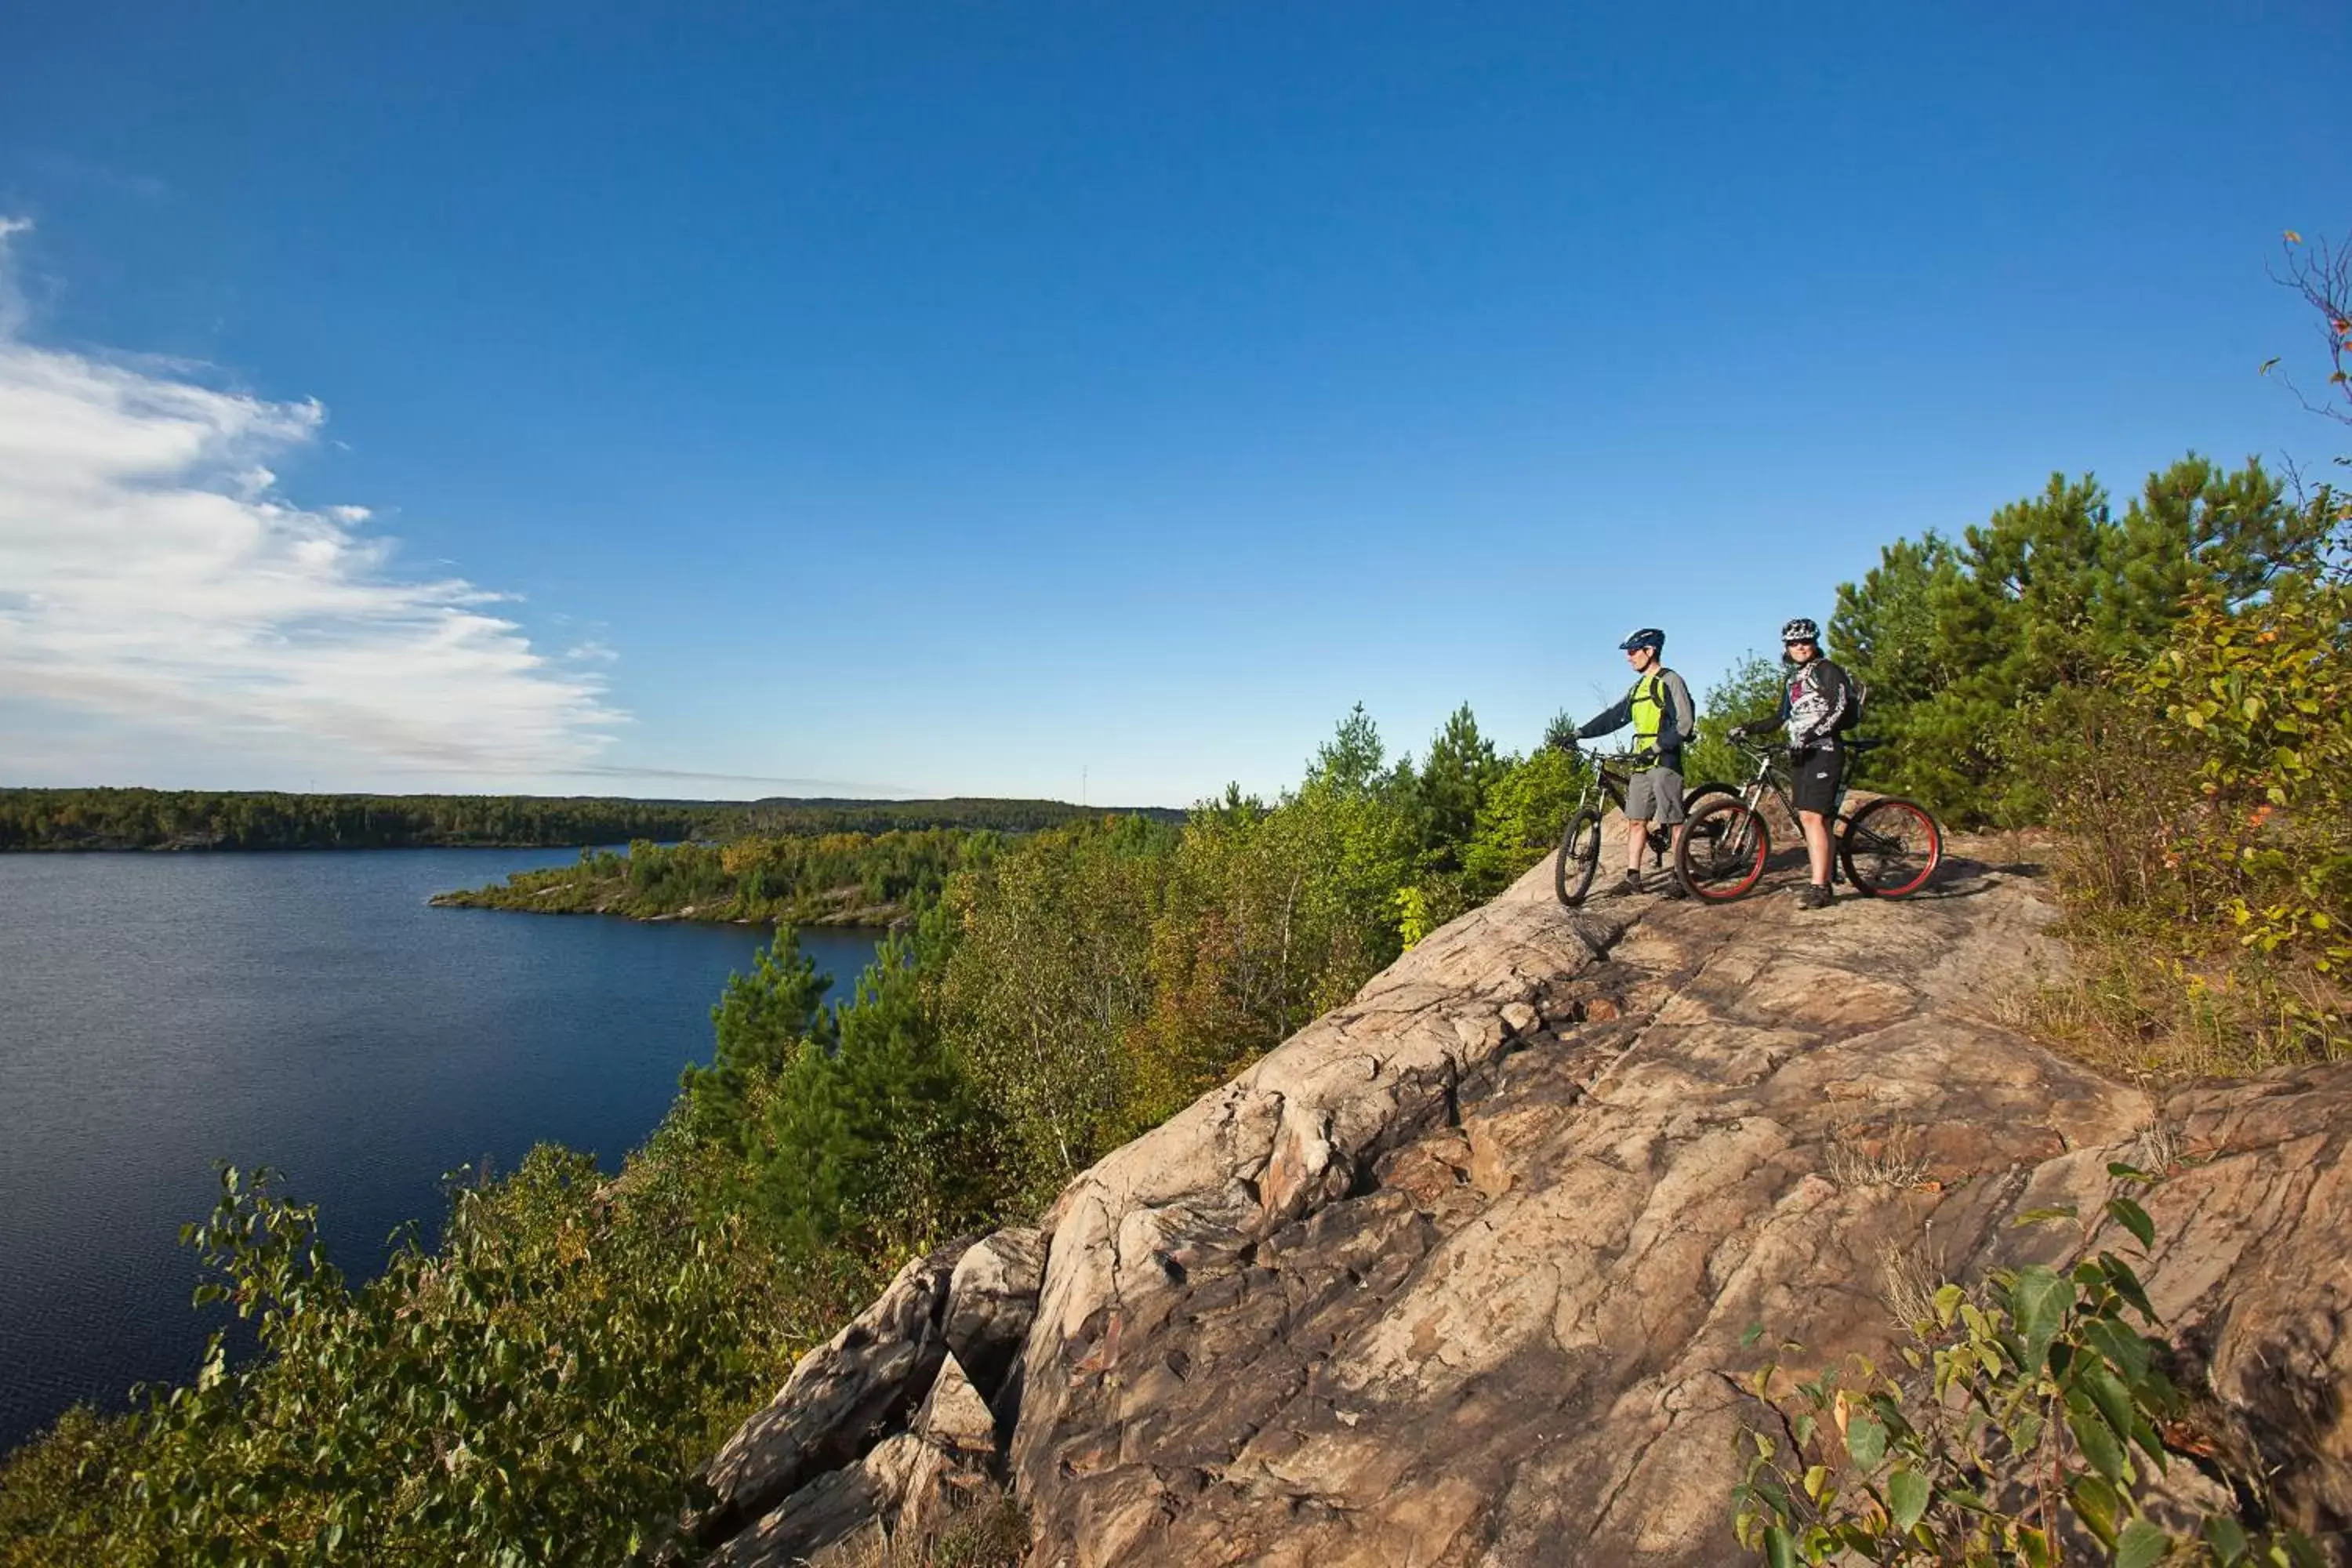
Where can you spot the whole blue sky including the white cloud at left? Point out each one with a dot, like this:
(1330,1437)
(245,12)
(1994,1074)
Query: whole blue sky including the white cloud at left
(954,398)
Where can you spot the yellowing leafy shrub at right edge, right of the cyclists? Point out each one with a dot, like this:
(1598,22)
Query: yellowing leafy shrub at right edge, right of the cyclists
(2205,803)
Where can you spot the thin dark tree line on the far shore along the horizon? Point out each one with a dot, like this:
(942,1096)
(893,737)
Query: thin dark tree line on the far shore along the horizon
(265,819)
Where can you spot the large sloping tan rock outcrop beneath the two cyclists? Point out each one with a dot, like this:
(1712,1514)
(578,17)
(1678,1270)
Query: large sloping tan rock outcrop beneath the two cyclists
(1457,1273)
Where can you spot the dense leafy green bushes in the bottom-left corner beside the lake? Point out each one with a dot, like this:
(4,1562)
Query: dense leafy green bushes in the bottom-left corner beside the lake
(530,1393)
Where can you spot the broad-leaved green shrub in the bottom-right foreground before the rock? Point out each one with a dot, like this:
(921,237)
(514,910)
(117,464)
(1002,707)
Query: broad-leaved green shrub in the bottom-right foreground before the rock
(2043,1416)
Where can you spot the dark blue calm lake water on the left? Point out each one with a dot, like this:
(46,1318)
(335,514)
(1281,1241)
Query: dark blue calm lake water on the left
(305,1012)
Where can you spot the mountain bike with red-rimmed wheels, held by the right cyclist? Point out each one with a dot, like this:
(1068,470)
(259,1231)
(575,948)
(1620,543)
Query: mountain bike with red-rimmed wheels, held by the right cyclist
(1887,850)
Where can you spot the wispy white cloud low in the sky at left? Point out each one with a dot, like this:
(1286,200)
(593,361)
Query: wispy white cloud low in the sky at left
(159,594)
